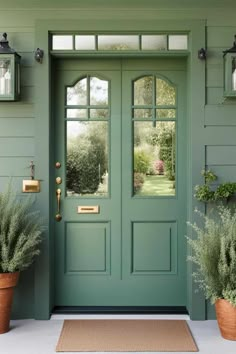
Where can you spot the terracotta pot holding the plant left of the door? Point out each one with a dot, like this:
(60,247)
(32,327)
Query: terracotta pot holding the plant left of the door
(7,283)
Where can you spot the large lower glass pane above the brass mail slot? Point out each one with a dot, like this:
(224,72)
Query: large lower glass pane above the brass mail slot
(87,163)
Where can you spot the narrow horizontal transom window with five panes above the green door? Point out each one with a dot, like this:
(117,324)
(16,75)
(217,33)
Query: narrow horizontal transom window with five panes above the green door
(120,42)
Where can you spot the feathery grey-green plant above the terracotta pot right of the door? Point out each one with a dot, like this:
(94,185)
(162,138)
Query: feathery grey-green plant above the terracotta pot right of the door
(214,254)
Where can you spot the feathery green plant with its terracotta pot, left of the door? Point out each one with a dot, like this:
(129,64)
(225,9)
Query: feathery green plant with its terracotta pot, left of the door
(20,237)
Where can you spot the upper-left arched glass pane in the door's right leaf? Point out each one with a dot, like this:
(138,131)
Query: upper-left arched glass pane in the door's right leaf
(143,91)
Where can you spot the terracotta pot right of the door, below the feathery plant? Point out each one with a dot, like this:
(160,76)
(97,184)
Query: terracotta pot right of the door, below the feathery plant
(226,317)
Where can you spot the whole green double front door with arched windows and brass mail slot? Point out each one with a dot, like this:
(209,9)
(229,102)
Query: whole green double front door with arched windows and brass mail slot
(120,137)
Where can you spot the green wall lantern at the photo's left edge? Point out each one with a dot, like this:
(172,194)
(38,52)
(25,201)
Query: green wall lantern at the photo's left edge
(9,72)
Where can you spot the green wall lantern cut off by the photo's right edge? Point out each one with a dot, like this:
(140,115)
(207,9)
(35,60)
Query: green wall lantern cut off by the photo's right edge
(230,71)
